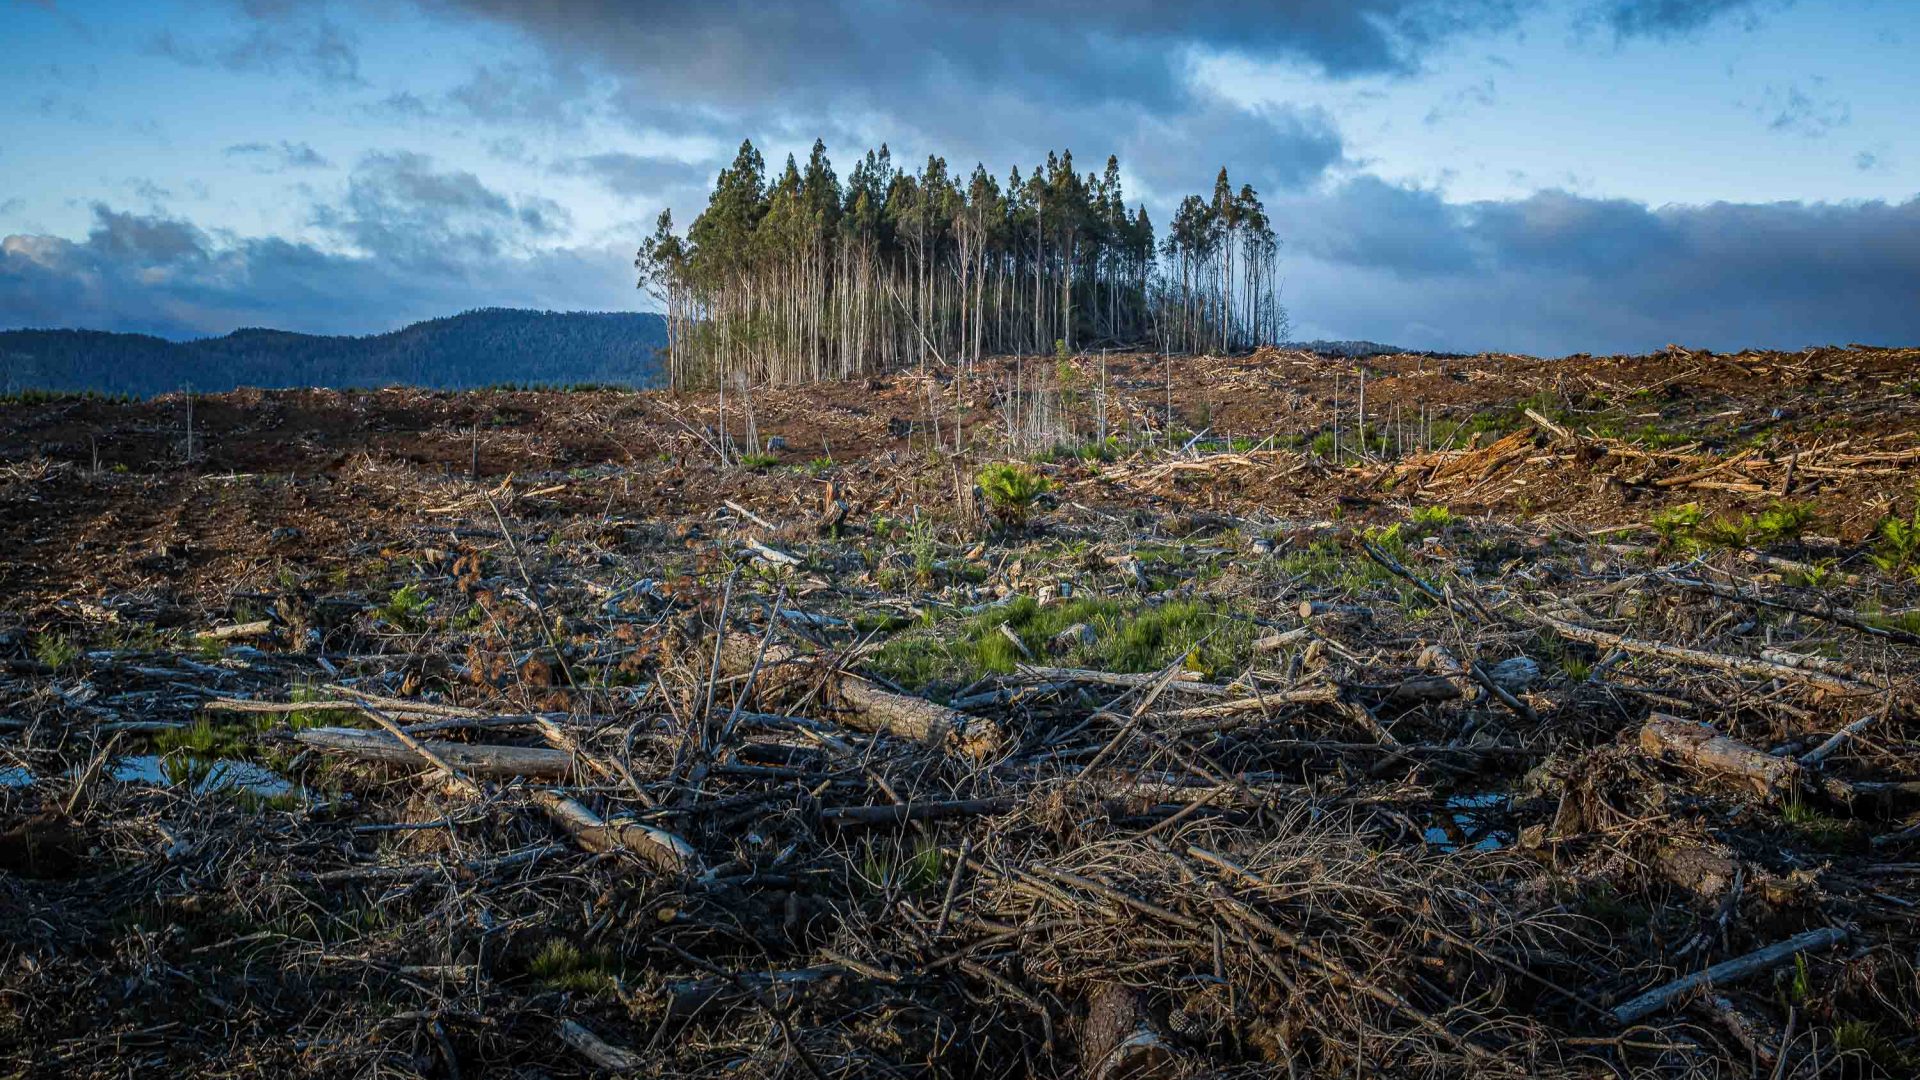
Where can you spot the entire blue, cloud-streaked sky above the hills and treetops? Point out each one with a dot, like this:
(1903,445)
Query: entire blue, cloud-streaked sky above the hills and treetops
(1516,176)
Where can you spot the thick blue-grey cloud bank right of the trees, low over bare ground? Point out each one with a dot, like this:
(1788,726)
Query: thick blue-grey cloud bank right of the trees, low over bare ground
(1560,274)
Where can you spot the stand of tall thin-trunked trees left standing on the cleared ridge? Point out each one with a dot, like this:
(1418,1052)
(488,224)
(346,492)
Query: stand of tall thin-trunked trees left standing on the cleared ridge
(809,278)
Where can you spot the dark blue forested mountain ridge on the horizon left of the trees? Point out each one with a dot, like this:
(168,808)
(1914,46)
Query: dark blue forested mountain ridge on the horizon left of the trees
(475,349)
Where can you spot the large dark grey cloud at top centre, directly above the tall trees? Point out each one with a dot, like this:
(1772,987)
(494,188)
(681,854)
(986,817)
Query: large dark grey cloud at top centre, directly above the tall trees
(994,82)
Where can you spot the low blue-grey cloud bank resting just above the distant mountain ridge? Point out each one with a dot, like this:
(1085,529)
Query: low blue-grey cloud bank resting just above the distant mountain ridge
(164,276)
